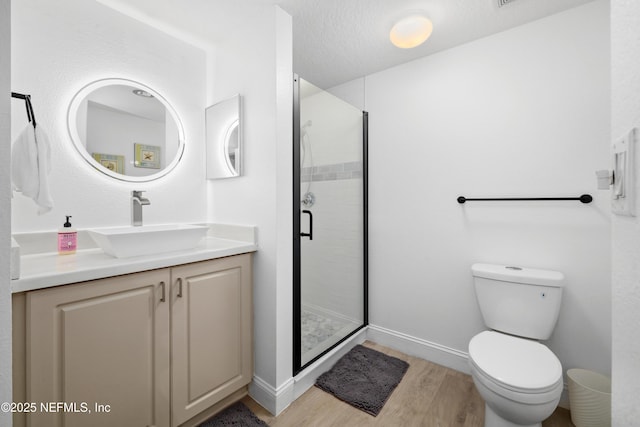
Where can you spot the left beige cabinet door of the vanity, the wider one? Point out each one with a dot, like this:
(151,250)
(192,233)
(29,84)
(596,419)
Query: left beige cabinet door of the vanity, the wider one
(102,348)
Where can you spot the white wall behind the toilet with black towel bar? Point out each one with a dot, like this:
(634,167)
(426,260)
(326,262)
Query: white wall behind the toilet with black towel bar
(521,113)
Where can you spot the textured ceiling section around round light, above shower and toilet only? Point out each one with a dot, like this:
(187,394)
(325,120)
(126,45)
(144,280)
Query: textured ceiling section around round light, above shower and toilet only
(340,40)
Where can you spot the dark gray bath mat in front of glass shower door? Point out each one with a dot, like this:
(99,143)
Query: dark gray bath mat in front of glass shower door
(364,378)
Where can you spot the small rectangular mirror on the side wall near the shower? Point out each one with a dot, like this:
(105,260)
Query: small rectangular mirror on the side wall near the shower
(224,139)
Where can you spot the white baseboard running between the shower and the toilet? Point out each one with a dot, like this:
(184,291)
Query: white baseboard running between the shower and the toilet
(436,353)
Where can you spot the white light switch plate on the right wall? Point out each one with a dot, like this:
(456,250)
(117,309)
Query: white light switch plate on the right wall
(624,165)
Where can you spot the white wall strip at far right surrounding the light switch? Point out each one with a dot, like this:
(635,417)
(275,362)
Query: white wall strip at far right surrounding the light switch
(625,78)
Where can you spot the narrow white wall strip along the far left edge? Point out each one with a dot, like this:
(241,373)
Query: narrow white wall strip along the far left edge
(5,208)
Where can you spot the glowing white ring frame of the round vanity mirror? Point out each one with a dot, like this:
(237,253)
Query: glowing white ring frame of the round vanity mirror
(81,148)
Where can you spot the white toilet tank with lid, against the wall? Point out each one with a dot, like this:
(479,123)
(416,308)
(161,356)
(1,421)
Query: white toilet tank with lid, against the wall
(518,301)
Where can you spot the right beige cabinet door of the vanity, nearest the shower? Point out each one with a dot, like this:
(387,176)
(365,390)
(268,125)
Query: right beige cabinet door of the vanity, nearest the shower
(211,329)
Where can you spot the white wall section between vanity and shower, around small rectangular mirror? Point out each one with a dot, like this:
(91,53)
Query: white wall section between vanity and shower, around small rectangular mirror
(256,62)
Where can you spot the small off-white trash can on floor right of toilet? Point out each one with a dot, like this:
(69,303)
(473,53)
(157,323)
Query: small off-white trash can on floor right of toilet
(589,398)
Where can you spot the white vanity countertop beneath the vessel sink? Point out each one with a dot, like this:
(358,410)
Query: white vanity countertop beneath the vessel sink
(47,269)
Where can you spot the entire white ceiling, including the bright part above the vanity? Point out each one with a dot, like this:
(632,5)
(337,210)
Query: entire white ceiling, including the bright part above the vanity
(336,41)
